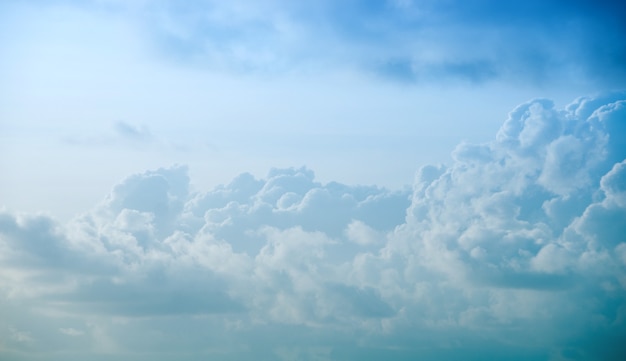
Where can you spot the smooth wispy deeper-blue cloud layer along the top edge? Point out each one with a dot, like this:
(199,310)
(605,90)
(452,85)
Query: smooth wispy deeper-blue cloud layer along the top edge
(414,41)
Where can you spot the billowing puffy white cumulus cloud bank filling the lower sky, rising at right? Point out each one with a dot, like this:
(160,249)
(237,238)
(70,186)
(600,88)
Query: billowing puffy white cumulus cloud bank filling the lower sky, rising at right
(515,250)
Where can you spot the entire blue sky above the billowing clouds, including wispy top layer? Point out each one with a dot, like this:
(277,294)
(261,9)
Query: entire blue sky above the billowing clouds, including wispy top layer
(360,92)
